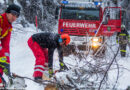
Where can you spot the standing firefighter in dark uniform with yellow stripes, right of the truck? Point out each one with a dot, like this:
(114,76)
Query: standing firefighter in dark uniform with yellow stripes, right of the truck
(123,38)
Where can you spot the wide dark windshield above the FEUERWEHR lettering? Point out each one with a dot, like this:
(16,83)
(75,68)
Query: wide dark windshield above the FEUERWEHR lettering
(80,14)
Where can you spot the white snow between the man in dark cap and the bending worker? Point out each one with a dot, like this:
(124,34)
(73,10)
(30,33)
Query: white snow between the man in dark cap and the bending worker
(22,58)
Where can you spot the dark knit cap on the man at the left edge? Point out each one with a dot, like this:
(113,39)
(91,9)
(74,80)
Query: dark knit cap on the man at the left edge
(14,9)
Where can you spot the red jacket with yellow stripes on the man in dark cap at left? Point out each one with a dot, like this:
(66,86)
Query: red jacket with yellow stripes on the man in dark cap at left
(5,34)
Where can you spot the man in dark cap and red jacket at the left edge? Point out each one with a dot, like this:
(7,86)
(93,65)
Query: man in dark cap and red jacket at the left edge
(6,19)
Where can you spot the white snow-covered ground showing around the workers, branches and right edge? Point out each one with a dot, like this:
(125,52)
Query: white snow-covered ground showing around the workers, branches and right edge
(23,60)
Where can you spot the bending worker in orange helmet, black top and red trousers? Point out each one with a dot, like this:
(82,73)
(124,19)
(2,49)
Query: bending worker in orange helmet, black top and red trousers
(43,46)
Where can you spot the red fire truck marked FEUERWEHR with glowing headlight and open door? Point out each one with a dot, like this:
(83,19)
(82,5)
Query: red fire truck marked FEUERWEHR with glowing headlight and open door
(88,23)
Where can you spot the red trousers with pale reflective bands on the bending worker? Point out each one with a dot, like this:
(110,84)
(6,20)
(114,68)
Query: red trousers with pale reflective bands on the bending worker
(41,55)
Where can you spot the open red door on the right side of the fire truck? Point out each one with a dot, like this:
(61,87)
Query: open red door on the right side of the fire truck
(111,20)
